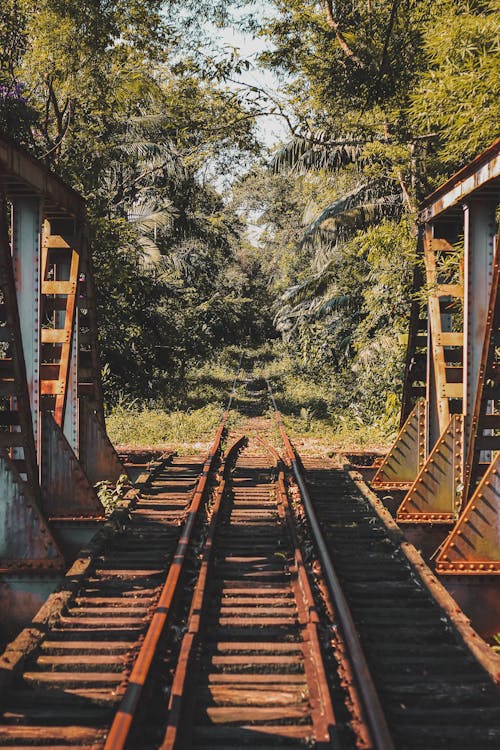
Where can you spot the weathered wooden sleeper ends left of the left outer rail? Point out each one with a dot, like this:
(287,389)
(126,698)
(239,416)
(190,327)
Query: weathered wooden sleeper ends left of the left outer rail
(70,670)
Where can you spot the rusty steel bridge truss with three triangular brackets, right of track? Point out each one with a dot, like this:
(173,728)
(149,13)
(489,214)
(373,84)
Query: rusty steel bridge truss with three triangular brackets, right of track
(447,454)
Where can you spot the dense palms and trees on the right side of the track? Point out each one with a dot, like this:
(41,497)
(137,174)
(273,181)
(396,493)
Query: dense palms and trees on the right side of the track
(386,99)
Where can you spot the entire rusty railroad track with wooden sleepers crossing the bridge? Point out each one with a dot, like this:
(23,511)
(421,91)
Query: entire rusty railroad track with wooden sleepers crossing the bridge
(249,601)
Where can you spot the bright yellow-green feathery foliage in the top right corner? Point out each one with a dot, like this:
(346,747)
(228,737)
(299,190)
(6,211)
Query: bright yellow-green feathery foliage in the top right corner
(457,95)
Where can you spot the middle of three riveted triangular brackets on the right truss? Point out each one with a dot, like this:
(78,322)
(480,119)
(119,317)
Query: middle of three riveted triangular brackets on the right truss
(436,494)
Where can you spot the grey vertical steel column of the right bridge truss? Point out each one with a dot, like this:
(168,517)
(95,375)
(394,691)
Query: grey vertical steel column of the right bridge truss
(479,239)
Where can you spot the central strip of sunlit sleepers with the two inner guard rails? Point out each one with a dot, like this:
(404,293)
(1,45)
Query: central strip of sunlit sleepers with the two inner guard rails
(250,668)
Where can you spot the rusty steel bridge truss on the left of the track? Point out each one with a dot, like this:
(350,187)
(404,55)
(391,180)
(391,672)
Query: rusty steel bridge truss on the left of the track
(53,442)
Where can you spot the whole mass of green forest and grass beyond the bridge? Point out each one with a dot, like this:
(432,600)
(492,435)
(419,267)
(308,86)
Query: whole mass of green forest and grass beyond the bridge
(310,252)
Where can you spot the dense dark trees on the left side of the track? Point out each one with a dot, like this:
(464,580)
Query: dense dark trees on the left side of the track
(101,92)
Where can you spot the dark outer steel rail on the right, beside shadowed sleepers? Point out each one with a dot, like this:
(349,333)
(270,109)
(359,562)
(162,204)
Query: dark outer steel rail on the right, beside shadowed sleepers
(373,711)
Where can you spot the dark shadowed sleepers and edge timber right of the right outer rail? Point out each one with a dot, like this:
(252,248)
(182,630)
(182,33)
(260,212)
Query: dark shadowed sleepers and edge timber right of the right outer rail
(432,689)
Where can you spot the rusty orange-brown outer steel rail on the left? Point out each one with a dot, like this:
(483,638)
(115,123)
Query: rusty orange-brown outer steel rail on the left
(122,722)
